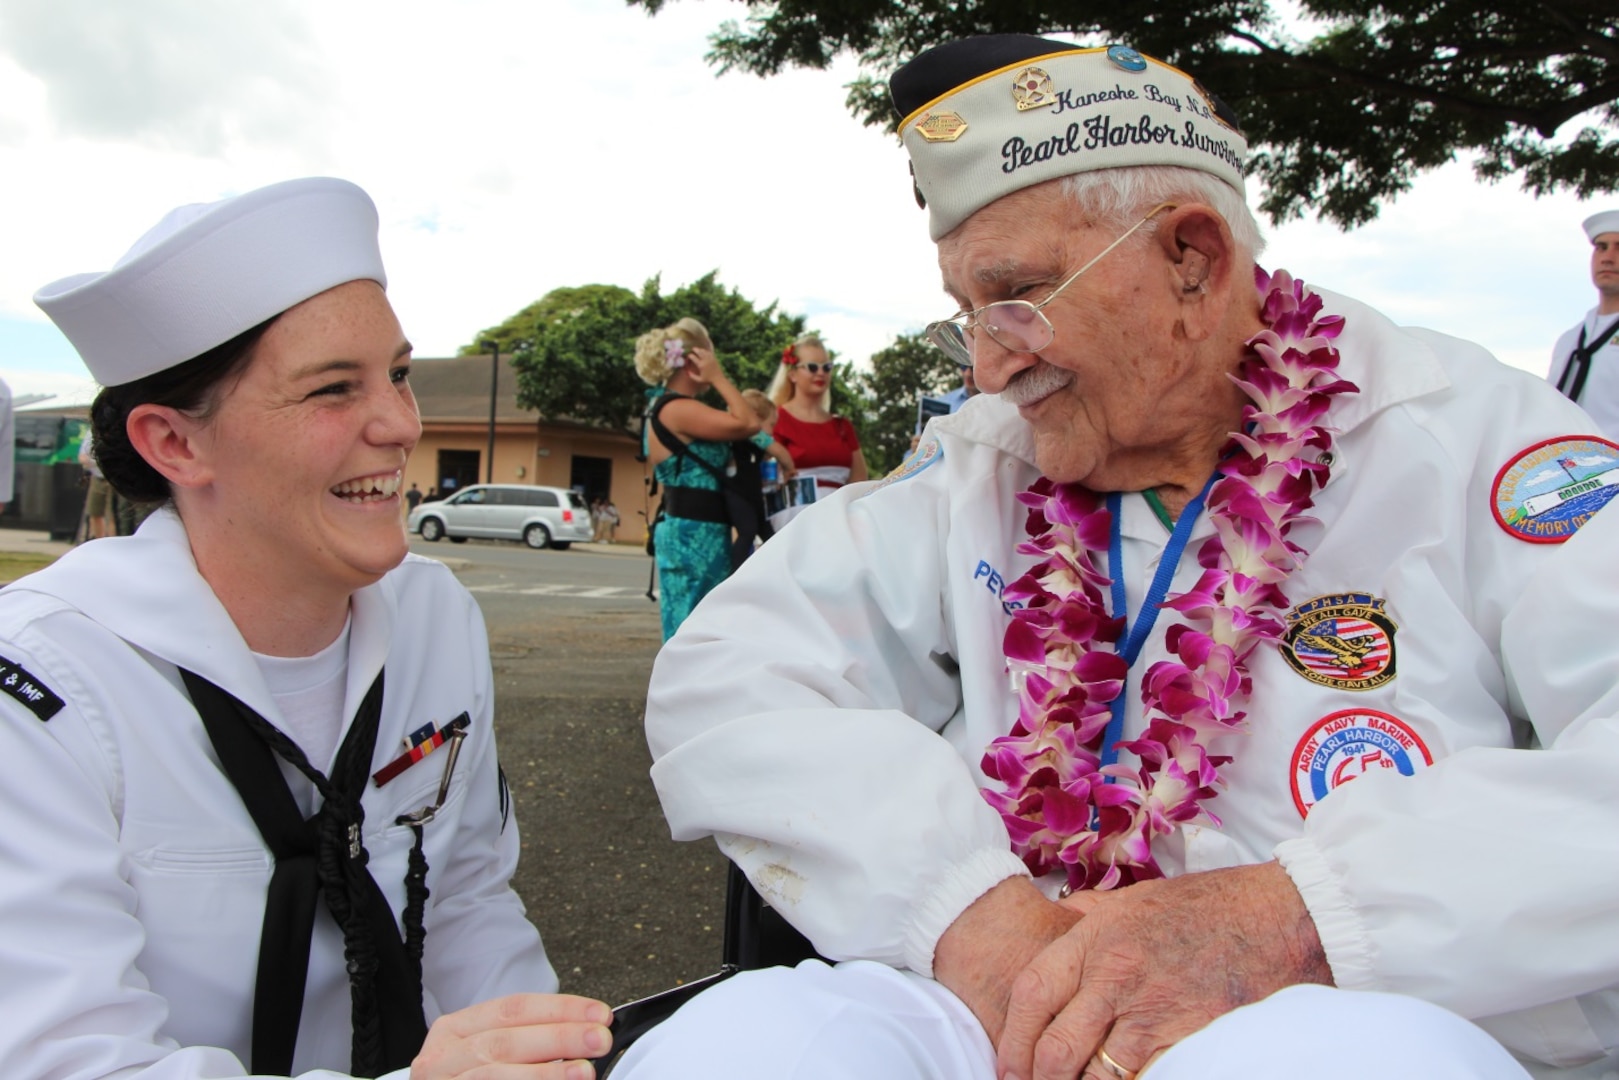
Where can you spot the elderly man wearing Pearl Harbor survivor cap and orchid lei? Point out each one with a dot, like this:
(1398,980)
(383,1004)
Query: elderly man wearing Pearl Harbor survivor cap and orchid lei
(1168,676)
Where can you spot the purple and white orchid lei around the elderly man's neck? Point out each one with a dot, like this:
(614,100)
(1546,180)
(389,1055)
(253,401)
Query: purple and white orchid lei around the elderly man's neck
(1063,809)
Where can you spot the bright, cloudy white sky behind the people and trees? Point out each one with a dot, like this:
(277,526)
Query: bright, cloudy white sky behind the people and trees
(516,147)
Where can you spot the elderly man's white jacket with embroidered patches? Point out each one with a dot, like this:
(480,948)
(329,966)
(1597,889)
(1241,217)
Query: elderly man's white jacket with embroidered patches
(825,712)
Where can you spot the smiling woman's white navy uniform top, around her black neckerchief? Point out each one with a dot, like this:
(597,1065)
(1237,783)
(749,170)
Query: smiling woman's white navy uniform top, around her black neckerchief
(135,880)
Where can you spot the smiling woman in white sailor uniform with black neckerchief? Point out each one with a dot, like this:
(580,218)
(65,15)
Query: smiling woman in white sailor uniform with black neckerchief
(250,807)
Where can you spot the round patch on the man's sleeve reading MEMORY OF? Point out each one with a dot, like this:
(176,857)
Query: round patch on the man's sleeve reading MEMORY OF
(1549,491)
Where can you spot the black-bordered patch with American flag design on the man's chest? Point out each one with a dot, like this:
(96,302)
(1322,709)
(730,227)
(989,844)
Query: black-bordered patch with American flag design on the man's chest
(1345,642)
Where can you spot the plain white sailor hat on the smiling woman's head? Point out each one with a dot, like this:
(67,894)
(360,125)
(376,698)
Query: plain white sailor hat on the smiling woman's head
(213,271)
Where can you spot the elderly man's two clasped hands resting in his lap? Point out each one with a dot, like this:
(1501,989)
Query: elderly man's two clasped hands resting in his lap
(1098,985)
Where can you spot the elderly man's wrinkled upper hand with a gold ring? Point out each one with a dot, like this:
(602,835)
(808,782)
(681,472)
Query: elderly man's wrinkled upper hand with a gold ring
(1152,964)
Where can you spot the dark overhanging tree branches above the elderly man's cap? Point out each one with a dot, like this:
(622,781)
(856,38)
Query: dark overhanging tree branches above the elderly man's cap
(1340,119)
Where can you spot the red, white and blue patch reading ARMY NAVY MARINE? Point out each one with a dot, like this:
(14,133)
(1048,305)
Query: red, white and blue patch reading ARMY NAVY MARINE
(1349,744)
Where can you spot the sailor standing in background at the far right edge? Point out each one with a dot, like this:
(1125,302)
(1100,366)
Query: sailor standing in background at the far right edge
(1586,360)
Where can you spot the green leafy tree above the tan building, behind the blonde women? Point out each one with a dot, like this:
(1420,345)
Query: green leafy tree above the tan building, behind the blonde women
(574,349)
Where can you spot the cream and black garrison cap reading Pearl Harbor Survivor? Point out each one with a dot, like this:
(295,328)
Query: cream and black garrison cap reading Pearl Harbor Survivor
(988,116)
